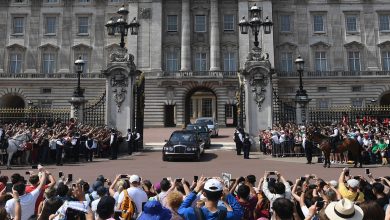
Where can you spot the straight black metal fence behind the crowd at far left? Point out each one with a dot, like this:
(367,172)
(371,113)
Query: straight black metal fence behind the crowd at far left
(33,115)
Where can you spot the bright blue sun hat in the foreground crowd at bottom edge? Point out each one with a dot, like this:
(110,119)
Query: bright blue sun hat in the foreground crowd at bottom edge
(153,210)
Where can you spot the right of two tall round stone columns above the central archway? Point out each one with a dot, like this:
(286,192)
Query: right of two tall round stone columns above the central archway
(214,37)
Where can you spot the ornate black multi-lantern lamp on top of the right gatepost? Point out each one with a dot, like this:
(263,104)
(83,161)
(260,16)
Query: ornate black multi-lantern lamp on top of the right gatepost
(255,24)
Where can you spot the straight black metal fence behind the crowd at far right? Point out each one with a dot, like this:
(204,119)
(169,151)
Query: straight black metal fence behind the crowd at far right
(351,114)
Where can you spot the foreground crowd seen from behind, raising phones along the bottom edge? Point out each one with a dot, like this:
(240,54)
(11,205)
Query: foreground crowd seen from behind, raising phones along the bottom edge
(270,196)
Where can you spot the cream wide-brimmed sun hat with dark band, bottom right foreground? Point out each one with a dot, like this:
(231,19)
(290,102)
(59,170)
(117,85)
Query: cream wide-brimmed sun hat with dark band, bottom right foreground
(344,209)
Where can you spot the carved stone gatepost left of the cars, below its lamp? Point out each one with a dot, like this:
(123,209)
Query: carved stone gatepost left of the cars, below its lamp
(120,80)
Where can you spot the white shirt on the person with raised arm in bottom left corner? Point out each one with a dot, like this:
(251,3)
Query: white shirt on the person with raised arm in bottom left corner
(27,203)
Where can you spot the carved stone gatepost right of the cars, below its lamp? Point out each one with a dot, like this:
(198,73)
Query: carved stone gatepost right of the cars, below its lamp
(258,93)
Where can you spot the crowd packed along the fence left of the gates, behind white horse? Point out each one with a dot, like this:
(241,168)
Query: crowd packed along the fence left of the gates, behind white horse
(59,142)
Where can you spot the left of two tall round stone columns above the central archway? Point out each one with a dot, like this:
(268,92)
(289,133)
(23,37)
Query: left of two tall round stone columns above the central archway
(185,36)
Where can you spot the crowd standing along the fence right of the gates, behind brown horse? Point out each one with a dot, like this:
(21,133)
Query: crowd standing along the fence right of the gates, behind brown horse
(291,140)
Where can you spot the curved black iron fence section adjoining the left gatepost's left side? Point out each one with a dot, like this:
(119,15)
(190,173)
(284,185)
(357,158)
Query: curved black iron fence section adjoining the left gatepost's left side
(94,114)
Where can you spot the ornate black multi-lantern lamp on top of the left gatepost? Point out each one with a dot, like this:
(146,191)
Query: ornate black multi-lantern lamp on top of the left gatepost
(121,26)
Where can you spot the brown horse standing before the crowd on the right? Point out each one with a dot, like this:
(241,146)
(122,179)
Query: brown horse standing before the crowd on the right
(325,145)
